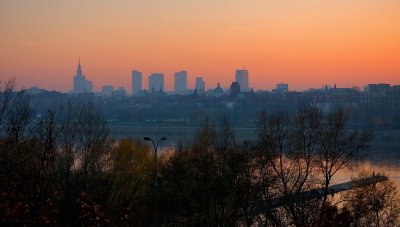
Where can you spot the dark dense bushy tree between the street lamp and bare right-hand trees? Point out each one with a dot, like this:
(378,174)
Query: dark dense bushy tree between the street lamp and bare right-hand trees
(202,183)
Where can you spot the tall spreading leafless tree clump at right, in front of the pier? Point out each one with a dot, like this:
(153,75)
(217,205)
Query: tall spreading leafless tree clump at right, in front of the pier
(303,150)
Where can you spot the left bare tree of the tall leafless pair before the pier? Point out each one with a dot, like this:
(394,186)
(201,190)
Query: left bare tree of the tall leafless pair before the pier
(290,145)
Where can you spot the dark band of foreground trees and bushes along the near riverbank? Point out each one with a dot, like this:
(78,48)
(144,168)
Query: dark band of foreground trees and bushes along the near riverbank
(66,170)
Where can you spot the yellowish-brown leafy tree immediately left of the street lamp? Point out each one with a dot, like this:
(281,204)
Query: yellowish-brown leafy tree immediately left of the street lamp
(131,164)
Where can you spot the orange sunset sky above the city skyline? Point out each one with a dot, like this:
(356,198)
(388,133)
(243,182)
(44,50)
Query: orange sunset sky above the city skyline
(306,43)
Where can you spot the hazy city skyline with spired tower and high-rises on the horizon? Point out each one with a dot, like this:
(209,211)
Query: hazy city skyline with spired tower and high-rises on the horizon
(138,84)
